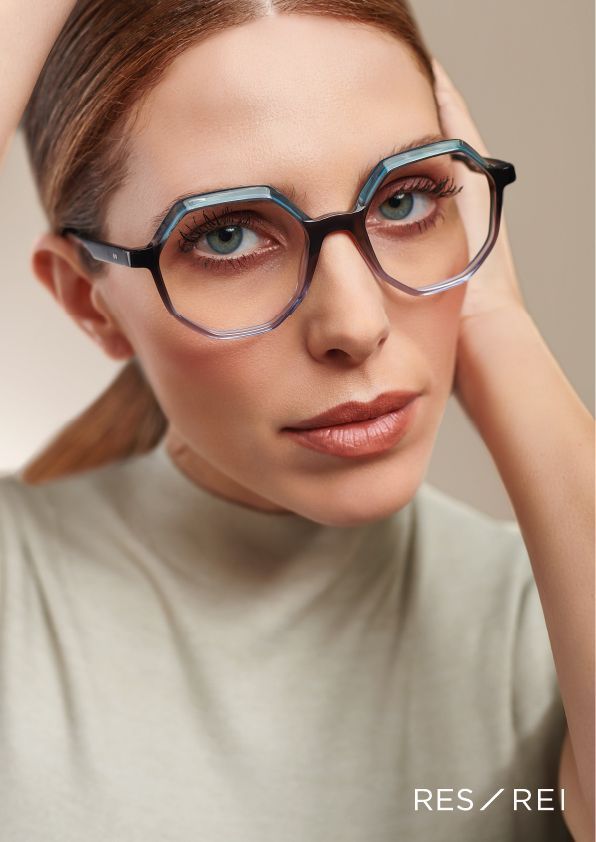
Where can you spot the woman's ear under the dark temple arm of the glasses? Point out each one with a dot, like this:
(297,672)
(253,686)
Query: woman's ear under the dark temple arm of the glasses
(56,263)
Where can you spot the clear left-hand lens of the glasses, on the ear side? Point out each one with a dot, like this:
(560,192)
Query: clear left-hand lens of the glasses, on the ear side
(234,265)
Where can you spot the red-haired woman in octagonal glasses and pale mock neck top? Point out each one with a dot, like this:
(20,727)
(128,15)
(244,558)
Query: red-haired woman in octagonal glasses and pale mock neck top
(218,625)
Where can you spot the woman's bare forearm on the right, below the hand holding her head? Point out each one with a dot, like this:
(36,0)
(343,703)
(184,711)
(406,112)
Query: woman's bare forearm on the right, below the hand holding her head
(541,437)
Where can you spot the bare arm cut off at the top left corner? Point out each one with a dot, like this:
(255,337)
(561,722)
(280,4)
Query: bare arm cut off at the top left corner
(27,34)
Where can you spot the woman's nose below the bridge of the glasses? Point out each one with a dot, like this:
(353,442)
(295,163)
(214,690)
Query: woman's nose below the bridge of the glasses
(344,312)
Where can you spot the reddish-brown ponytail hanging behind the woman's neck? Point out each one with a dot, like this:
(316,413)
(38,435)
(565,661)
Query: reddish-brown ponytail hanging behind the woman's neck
(124,420)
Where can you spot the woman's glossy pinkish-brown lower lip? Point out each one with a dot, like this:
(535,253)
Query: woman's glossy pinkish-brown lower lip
(358,438)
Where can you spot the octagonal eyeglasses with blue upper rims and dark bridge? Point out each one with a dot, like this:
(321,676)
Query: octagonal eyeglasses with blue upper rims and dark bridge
(237,262)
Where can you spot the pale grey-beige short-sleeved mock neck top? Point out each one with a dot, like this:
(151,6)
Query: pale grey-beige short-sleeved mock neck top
(175,666)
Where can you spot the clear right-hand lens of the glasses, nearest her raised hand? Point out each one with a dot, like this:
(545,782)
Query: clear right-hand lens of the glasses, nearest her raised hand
(428,220)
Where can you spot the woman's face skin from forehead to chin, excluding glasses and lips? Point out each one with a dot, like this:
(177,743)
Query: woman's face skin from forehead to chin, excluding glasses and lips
(308,101)
